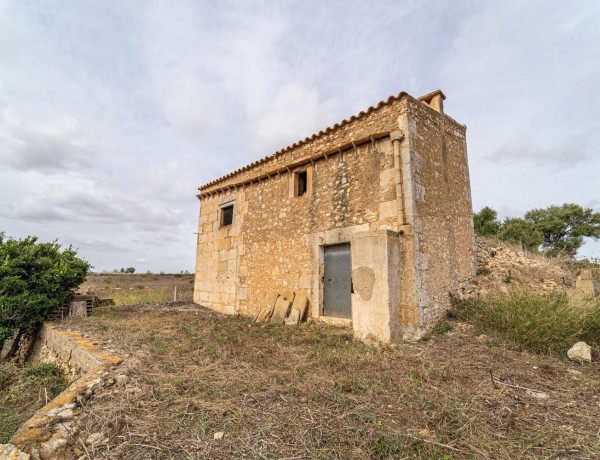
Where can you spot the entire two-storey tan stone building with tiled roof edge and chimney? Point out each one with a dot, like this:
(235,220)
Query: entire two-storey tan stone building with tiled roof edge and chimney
(370,219)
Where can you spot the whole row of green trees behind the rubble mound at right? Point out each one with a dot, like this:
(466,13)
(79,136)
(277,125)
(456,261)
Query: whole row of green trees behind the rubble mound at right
(555,230)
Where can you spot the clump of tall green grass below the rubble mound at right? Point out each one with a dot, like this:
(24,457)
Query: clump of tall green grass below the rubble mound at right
(542,323)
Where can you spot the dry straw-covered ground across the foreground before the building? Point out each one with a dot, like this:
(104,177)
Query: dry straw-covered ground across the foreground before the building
(313,392)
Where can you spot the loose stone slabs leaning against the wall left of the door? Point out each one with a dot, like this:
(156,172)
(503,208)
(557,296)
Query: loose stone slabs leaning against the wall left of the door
(285,308)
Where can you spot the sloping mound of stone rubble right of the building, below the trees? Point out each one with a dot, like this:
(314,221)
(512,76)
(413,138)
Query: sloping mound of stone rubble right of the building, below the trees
(502,268)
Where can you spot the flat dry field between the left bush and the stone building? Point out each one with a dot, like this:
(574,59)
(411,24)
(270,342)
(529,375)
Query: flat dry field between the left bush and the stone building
(143,288)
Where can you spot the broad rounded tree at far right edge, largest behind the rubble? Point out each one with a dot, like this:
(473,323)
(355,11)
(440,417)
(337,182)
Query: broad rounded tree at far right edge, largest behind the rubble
(563,228)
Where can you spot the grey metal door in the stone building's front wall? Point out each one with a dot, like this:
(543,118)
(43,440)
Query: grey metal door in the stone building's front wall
(337,284)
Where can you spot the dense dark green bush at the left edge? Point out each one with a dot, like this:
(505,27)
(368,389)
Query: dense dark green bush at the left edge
(35,278)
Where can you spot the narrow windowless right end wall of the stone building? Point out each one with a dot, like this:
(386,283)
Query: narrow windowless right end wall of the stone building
(444,239)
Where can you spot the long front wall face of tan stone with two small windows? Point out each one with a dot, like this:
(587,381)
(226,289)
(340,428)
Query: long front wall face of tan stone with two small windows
(271,244)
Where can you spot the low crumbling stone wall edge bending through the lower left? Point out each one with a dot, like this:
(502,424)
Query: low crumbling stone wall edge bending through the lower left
(38,436)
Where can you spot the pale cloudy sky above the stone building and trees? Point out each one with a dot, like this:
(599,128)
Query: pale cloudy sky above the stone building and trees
(113,113)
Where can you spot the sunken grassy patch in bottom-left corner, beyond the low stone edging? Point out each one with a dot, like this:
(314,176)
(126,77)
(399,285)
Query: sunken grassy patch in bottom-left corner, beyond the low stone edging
(23,390)
